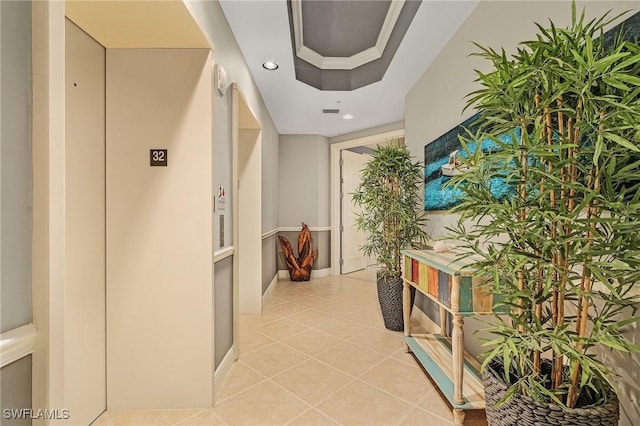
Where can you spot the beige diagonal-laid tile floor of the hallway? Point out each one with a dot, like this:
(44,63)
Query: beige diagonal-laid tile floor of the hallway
(318,355)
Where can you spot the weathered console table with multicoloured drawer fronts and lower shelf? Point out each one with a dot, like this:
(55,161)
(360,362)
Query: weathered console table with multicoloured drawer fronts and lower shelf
(449,283)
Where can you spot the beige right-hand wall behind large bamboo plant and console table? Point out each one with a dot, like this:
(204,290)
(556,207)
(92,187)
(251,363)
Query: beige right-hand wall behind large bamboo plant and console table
(435,105)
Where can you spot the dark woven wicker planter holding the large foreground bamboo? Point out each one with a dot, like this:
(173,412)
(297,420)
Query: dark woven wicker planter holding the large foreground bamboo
(523,411)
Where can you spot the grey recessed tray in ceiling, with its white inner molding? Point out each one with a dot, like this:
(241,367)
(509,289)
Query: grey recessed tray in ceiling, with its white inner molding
(344,45)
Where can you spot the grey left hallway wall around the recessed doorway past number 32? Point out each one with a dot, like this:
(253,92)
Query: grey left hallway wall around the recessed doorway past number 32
(212,22)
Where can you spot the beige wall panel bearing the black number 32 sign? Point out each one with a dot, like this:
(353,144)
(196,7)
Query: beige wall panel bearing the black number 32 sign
(159,229)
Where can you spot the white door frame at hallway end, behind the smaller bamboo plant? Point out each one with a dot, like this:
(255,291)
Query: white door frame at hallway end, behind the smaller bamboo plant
(335,187)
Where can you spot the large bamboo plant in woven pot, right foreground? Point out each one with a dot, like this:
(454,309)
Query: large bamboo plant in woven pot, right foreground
(560,246)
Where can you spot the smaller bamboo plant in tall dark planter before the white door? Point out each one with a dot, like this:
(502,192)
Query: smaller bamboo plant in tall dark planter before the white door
(392,219)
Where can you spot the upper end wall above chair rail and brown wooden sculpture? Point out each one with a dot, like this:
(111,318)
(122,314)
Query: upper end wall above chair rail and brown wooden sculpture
(304,181)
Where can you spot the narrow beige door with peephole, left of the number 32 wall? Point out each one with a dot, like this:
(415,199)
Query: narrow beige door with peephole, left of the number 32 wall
(84,314)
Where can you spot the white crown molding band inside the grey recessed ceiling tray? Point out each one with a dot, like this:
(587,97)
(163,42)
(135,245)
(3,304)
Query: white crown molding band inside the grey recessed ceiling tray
(344,63)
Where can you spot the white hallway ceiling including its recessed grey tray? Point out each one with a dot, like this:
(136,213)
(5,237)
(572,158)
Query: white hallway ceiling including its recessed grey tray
(357,57)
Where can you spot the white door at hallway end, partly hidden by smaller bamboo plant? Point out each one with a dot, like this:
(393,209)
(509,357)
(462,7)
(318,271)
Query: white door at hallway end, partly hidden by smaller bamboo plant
(352,258)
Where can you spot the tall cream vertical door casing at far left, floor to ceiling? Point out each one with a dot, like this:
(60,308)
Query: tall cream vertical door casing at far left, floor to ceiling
(48,145)
